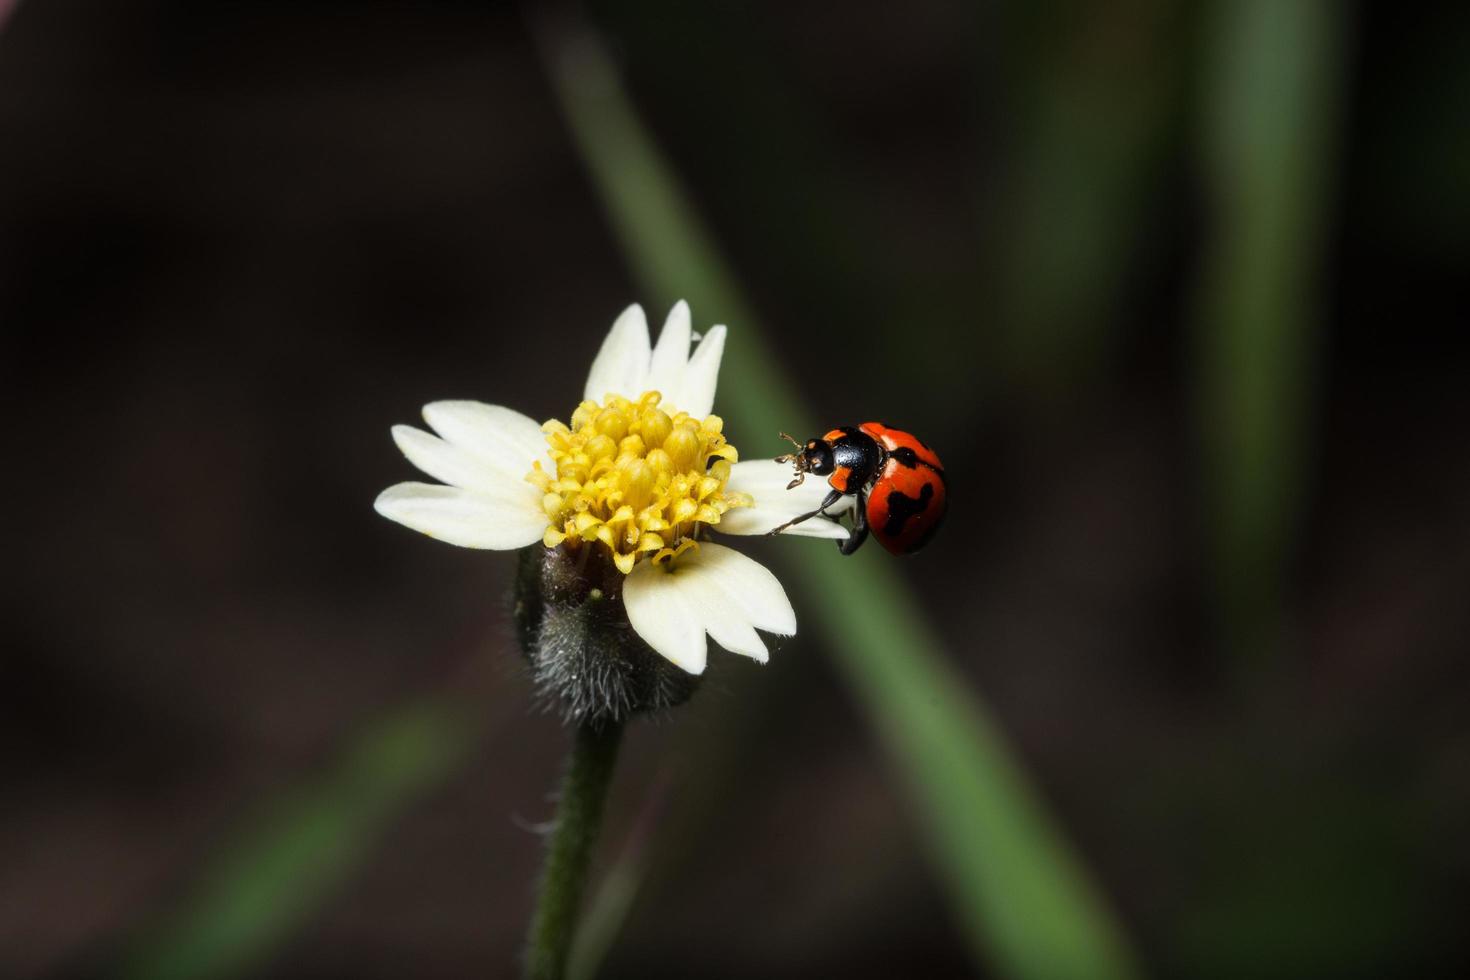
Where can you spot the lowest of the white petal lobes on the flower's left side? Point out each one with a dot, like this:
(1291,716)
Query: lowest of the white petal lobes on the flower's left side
(464,518)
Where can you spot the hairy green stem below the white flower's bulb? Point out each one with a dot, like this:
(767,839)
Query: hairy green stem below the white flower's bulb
(570,851)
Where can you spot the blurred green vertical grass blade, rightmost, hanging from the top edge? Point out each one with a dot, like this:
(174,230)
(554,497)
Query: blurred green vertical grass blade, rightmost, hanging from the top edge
(1271,118)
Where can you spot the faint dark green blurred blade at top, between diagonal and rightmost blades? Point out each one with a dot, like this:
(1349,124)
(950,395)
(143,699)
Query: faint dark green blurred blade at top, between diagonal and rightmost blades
(1086,155)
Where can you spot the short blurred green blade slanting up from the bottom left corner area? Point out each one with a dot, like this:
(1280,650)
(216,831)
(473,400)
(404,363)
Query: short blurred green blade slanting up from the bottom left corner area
(286,866)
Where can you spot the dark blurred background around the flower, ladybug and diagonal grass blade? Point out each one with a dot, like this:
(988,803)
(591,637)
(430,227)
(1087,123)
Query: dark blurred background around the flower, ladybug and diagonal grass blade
(239,242)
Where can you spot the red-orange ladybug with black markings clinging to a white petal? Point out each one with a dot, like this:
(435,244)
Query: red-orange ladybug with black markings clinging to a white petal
(897,480)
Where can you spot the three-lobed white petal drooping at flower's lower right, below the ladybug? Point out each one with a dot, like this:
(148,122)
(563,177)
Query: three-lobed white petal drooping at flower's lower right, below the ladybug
(714,590)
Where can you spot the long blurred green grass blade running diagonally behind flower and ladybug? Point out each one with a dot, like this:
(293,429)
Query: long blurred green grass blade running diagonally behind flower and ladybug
(1017,890)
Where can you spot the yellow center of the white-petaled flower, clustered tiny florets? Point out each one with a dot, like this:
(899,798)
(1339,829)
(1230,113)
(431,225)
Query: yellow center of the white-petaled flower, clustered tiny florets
(636,477)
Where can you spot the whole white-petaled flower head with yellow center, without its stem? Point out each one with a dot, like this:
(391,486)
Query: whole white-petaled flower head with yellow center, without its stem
(640,475)
